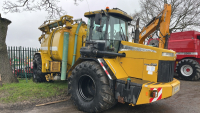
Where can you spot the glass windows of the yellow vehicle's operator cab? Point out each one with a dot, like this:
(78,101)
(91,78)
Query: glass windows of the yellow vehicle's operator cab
(113,30)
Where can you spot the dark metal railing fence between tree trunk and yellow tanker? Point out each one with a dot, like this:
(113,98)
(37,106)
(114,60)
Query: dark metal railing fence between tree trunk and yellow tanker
(21,60)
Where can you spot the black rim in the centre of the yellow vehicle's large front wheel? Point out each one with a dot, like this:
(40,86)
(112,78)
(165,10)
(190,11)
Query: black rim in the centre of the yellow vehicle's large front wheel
(87,88)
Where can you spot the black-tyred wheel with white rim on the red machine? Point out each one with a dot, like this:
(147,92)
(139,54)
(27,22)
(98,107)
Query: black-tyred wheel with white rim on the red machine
(188,69)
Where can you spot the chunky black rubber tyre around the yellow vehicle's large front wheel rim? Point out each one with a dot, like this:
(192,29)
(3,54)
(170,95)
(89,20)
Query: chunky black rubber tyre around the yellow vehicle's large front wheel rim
(106,94)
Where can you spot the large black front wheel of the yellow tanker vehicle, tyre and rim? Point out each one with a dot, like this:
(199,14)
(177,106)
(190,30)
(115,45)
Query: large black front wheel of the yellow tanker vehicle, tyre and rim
(89,88)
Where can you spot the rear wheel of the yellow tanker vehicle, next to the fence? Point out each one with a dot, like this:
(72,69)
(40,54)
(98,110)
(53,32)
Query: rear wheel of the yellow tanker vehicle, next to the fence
(38,76)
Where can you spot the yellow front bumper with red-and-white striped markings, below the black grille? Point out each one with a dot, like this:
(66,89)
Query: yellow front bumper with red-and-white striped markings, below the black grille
(167,90)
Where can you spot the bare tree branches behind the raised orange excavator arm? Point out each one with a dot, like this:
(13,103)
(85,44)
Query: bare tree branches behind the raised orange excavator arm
(185,13)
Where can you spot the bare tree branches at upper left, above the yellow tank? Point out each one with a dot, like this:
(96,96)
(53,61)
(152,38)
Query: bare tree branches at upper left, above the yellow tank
(51,6)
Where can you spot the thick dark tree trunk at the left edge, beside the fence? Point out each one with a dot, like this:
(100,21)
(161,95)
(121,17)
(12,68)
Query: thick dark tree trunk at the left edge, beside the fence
(5,68)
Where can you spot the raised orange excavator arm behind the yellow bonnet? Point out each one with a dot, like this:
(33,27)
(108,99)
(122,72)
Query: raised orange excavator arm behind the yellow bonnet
(161,23)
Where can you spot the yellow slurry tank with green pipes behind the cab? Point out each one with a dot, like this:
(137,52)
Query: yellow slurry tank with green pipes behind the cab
(52,44)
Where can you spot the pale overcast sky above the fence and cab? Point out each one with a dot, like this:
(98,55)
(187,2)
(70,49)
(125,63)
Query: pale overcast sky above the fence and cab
(23,31)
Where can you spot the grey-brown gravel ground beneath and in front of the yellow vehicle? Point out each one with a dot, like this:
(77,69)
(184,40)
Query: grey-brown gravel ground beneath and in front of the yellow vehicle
(187,100)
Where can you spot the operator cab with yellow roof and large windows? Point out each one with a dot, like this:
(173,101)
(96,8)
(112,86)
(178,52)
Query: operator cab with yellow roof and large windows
(107,28)
